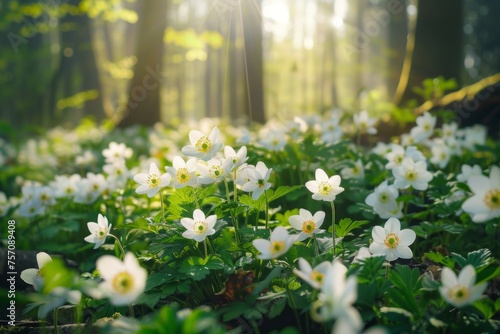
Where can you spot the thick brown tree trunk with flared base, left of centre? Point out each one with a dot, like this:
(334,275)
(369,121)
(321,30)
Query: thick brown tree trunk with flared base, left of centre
(143,107)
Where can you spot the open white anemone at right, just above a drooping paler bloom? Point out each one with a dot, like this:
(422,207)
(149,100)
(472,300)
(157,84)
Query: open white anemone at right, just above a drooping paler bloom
(412,173)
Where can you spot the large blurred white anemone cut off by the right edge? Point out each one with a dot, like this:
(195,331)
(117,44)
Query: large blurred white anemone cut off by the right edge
(485,203)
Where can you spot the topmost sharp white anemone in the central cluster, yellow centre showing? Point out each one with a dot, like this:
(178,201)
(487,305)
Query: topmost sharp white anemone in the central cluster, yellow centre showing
(201,146)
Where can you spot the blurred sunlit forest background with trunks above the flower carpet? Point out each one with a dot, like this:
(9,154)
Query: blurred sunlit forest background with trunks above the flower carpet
(144,61)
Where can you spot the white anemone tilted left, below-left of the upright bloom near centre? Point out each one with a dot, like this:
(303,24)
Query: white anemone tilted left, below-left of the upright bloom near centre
(278,244)
